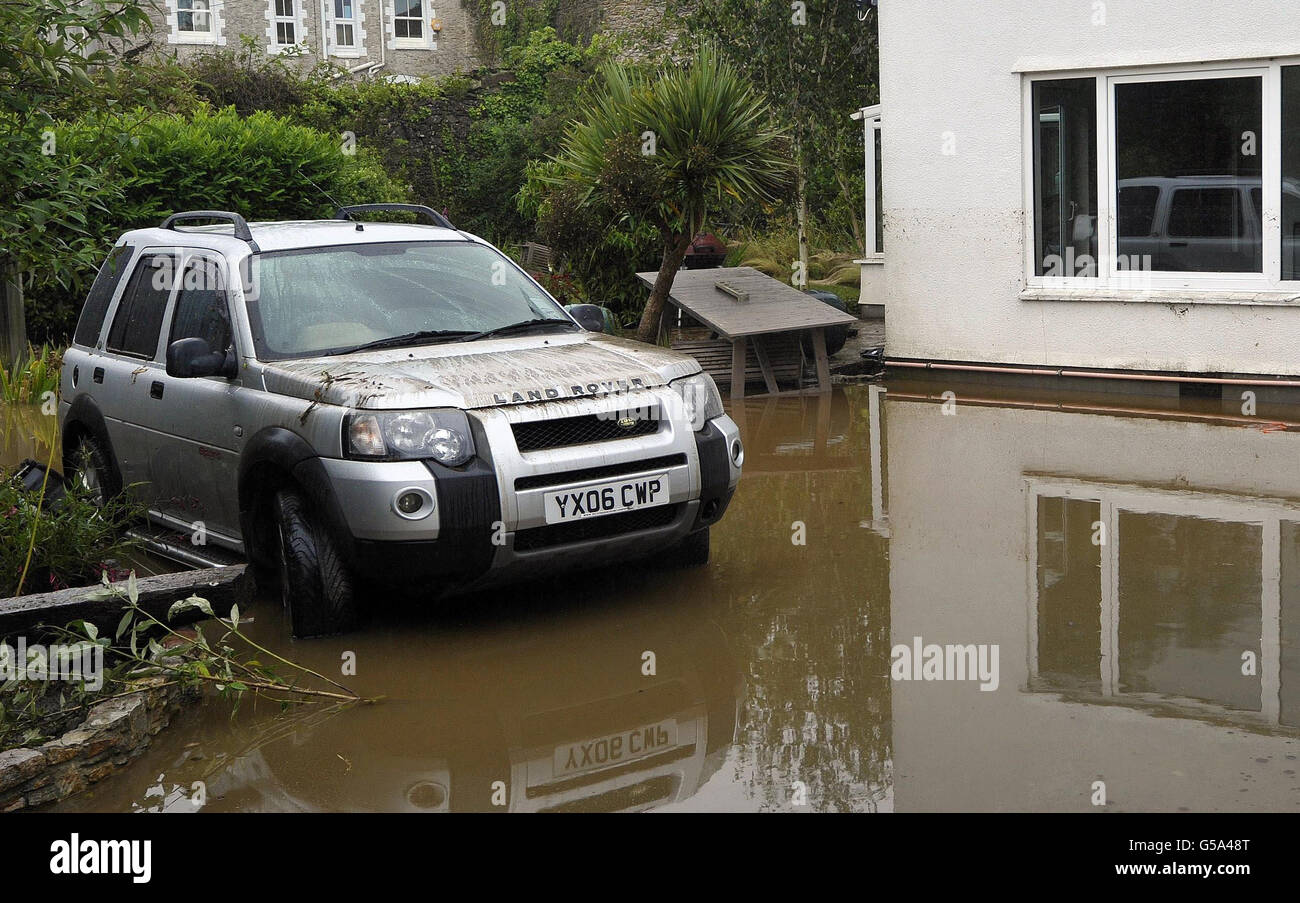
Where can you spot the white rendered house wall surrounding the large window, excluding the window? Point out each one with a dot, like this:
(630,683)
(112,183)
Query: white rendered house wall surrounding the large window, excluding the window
(955,224)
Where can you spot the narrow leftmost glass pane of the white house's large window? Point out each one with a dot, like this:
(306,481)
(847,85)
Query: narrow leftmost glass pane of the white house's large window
(1065,177)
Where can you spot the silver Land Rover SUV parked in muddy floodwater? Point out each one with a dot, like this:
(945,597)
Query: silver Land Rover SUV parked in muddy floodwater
(375,403)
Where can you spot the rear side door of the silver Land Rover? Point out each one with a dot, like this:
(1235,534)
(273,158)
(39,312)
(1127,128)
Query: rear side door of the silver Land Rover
(125,375)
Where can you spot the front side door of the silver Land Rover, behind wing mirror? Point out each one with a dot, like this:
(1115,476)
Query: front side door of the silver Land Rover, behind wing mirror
(196,461)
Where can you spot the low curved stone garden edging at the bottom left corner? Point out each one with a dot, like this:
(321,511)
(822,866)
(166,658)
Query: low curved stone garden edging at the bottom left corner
(115,732)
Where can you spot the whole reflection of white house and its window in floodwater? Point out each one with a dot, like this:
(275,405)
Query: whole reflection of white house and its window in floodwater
(993,516)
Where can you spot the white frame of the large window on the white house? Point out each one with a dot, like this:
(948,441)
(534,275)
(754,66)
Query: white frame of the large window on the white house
(1113,284)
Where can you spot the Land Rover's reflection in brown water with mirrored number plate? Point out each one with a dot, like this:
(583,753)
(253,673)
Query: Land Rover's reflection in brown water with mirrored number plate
(565,723)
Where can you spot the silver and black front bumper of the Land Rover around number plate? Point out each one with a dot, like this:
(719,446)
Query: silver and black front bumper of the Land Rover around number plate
(488,522)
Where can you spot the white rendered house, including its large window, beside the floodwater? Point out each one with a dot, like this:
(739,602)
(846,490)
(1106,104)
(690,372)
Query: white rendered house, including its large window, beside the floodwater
(1110,184)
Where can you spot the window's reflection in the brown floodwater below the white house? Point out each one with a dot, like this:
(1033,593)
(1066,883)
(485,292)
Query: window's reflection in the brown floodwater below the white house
(1182,605)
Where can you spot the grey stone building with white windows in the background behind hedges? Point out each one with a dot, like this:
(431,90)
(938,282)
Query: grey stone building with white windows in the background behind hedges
(366,37)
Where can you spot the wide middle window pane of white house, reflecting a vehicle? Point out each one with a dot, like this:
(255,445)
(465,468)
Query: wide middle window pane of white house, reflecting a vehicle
(1199,140)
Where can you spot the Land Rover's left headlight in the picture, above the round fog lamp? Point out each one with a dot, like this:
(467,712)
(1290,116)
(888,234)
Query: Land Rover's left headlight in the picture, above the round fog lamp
(443,436)
